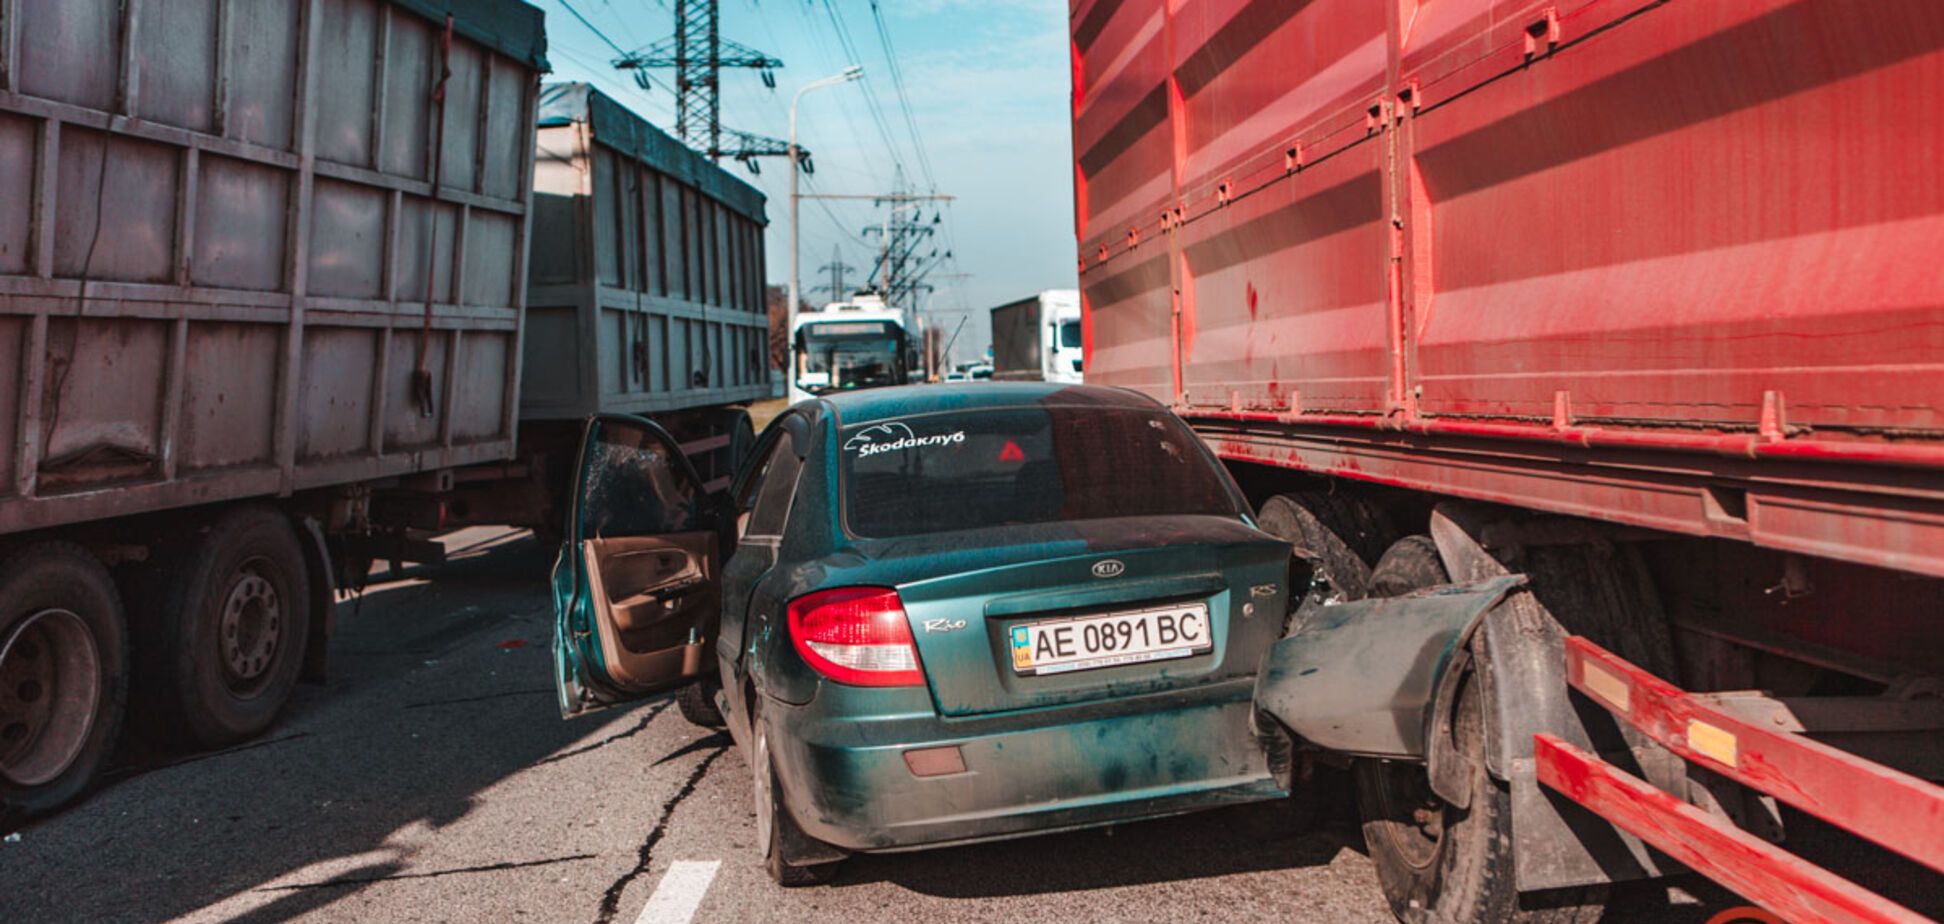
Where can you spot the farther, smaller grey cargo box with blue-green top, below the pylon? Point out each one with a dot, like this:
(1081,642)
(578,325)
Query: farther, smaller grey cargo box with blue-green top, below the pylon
(648,287)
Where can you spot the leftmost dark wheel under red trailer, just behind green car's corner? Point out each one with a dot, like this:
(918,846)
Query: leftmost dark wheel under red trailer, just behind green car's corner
(1338,534)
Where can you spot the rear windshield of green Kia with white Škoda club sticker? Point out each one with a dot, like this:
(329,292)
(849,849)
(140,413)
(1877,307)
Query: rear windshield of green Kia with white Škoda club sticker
(950,472)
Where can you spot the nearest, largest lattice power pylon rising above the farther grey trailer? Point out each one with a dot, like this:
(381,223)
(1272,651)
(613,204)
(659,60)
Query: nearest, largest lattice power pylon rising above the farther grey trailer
(699,53)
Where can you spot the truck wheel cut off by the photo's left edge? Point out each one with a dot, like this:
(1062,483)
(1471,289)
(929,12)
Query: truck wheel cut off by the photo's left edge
(63,674)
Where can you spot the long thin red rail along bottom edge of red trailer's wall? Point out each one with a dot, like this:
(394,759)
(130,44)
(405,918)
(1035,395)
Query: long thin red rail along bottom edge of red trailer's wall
(1737,446)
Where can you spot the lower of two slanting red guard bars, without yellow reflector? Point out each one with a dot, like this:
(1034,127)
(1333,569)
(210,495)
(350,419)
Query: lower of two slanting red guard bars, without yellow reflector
(1754,869)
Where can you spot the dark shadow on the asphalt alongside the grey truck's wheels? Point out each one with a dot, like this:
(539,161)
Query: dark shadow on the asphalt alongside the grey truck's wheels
(312,810)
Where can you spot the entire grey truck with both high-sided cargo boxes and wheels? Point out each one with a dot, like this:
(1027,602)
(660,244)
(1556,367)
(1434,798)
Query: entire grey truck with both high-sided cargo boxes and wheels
(263,320)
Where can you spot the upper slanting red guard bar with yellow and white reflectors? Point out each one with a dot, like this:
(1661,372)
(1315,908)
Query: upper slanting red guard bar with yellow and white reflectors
(1887,806)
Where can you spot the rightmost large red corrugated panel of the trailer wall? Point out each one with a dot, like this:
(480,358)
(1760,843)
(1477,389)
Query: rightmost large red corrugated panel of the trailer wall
(1663,219)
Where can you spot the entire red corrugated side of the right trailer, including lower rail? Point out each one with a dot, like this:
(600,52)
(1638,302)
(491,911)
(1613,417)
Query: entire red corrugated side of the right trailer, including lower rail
(1651,264)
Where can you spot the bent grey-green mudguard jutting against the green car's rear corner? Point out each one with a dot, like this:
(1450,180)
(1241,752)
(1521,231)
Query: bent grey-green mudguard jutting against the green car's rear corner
(1362,678)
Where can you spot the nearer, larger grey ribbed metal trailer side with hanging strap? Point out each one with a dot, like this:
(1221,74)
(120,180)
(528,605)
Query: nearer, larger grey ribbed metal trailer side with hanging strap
(219,234)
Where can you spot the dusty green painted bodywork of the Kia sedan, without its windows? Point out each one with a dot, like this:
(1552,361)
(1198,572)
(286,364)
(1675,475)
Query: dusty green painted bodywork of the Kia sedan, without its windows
(1041,752)
